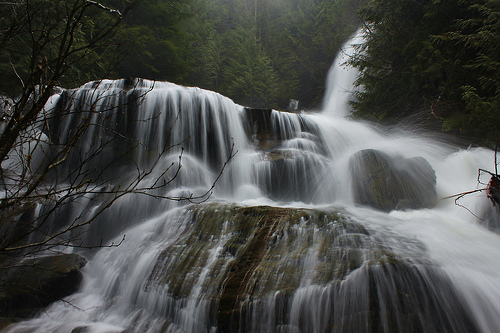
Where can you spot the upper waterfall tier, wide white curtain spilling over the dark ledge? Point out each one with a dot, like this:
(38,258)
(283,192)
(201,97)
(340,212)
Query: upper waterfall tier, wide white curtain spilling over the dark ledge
(132,125)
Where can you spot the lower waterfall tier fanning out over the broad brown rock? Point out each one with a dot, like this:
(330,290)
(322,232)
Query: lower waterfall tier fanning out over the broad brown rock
(227,268)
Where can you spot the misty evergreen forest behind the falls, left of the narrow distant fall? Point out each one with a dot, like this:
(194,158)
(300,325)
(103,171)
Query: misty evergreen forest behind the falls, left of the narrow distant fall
(260,53)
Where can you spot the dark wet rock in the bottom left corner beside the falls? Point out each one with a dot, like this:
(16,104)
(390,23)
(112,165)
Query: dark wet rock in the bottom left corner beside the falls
(26,286)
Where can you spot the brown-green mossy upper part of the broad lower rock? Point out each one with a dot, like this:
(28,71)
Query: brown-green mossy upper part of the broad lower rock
(237,255)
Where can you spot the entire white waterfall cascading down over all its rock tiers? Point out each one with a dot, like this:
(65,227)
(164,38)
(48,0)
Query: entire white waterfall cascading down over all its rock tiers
(289,241)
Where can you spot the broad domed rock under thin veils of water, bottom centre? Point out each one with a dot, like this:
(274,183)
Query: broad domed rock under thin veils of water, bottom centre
(255,269)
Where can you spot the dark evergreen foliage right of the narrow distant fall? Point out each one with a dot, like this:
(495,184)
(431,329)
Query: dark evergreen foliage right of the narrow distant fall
(437,59)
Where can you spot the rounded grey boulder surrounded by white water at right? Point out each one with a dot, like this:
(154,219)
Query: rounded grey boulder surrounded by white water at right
(388,183)
